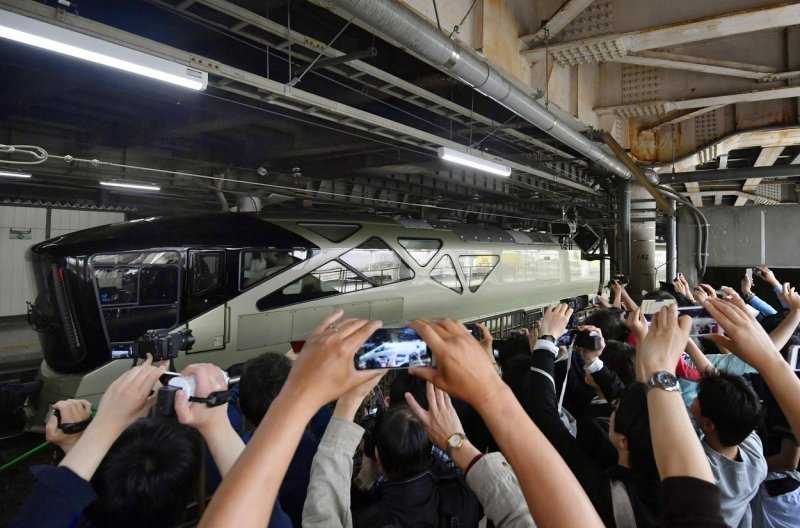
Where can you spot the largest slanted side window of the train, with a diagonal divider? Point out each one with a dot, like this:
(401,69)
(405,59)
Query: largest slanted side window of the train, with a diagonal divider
(370,265)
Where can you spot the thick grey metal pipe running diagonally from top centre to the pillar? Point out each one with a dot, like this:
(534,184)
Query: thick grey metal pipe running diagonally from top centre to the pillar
(410,30)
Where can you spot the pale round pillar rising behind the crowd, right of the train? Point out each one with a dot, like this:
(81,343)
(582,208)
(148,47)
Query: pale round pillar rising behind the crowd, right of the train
(643,242)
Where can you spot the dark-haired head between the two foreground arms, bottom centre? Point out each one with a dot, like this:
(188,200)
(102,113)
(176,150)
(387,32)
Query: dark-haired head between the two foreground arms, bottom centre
(402,442)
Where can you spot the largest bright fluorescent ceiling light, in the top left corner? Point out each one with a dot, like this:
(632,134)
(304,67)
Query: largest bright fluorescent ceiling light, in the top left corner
(54,38)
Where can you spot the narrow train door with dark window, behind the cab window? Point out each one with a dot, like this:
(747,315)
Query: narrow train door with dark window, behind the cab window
(206,309)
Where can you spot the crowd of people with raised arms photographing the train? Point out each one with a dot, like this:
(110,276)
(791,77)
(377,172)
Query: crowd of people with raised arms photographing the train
(646,426)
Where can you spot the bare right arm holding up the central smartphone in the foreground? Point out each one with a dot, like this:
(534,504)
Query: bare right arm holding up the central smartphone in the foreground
(554,496)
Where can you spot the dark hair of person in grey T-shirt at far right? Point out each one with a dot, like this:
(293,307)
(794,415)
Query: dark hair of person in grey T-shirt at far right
(730,402)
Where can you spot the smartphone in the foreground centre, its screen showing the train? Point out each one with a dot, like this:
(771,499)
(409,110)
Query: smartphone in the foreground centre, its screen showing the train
(393,348)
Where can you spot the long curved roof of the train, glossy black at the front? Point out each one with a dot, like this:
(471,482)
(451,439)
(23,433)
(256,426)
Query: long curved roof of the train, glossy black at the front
(246,229)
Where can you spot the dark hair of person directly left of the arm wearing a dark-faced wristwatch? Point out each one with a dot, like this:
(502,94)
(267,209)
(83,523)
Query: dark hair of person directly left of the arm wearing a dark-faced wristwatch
(632,420)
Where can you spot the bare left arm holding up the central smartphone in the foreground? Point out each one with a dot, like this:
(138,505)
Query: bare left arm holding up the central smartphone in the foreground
(323,371)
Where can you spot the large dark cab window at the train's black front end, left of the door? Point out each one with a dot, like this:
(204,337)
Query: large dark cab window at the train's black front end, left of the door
(137,292)
